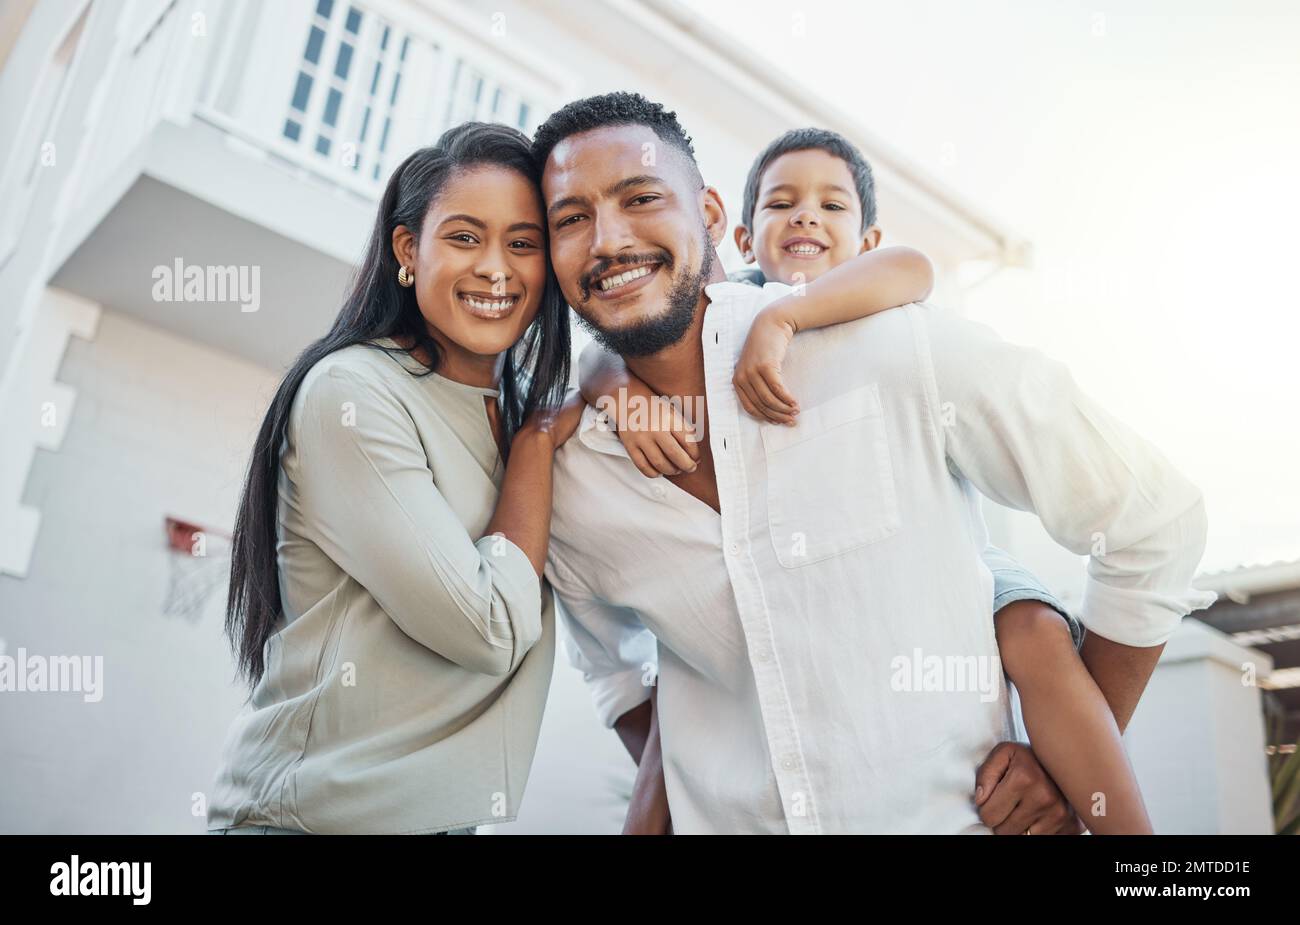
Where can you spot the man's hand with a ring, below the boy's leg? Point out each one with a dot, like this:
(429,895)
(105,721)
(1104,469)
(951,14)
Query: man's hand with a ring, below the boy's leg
(1016,797)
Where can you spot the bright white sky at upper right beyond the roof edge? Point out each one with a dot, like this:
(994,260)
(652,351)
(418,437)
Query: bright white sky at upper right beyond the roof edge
(1151,153)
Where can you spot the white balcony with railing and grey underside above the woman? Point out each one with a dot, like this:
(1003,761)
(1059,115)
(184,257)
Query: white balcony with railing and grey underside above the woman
(252,134)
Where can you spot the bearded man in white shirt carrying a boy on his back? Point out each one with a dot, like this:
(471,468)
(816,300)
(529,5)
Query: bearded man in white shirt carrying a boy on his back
(774,588)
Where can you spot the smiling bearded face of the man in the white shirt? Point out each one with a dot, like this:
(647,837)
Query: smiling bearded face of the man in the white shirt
(632,244)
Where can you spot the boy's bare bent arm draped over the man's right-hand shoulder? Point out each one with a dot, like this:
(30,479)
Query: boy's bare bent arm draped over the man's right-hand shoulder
(872,283)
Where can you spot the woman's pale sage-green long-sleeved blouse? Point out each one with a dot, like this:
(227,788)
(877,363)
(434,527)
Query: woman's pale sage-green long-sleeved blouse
(405,692)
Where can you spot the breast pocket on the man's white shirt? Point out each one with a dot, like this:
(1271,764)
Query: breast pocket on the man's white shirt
(830,480)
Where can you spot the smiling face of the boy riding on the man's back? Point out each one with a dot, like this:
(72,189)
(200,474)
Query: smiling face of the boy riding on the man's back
(807,219)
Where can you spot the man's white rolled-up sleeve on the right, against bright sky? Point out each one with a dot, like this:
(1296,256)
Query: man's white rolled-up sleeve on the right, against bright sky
(1016,424)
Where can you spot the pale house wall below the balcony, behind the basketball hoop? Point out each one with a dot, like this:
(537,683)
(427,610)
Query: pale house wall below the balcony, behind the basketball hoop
(162,425)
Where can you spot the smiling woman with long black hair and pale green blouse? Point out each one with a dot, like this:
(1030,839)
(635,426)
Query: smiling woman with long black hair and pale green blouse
(387,603)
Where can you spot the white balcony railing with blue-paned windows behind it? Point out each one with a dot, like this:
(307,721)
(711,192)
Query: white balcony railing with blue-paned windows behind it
(339,89)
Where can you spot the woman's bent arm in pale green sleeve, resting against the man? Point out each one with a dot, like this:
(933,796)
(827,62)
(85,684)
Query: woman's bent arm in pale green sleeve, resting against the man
(365,485)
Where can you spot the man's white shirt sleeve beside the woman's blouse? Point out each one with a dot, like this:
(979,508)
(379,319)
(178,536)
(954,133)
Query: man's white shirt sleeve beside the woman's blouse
(614,650)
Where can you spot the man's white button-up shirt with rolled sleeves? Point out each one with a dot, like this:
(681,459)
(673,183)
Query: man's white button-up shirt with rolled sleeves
(825,646)
